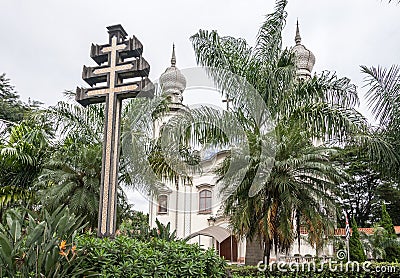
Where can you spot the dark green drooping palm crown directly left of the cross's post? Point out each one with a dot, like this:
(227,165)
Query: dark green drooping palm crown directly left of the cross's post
(71,177)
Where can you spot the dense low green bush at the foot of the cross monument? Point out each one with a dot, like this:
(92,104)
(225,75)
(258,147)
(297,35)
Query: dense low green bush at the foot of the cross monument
(129,257)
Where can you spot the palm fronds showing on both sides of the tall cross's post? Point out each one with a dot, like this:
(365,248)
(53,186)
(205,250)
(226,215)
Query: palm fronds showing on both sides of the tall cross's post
(72,173)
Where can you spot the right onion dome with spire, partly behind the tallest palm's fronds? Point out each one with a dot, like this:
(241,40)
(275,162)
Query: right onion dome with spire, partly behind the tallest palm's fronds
(305,59)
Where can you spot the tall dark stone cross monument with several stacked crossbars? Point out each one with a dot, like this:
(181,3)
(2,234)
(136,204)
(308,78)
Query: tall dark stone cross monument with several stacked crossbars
(117,61)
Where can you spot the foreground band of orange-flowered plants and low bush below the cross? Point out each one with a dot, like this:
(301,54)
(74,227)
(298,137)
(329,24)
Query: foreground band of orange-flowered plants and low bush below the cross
(53,245)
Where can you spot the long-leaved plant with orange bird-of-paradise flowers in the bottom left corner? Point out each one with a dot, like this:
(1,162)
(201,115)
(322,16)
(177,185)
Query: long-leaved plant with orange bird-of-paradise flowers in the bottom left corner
(39,245)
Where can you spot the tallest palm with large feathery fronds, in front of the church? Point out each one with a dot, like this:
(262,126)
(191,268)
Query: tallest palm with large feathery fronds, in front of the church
(301,184)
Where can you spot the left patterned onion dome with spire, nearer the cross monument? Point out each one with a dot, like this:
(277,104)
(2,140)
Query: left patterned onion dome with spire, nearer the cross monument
(172,81)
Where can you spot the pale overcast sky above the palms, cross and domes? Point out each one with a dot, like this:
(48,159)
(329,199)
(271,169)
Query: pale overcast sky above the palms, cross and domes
(45,43)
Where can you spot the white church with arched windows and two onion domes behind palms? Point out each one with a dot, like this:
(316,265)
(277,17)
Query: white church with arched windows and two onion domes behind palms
(195,210)
